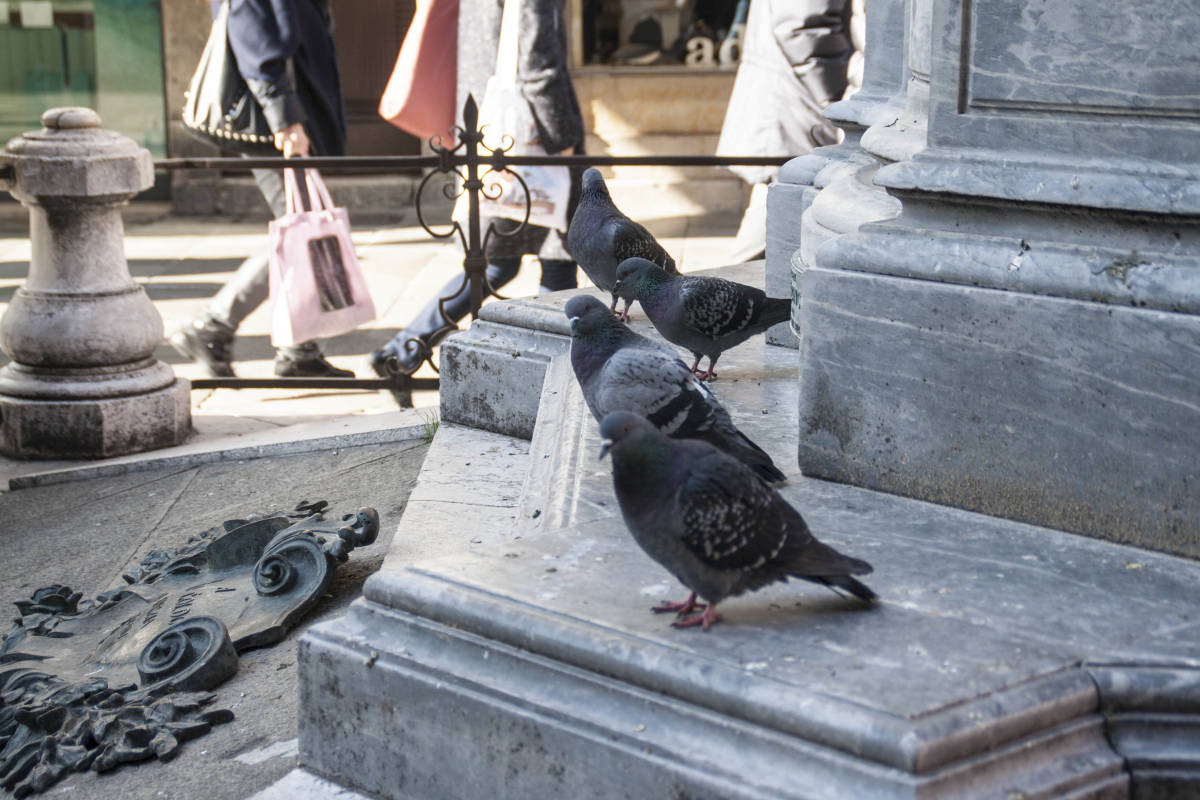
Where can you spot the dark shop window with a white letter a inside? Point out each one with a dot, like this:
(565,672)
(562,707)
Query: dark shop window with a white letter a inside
(697,34)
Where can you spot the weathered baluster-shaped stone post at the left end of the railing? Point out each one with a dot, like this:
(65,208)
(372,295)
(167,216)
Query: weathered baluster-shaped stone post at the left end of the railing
(83,382)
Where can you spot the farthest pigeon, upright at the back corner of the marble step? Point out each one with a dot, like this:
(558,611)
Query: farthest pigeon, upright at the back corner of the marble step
(601,238)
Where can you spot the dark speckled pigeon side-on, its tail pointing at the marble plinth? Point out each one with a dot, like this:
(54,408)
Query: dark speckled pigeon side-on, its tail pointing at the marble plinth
(707,316)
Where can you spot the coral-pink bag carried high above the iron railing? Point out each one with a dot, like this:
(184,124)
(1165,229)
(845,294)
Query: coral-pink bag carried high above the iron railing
(421,95)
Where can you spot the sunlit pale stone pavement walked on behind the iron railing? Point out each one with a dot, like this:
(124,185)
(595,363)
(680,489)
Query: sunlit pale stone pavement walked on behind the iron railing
(183,262)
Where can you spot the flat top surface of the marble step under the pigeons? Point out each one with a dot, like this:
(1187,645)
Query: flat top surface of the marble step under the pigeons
(981,603)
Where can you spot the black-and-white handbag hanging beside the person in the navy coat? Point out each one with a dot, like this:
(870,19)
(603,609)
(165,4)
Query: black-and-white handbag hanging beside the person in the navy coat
(219,107)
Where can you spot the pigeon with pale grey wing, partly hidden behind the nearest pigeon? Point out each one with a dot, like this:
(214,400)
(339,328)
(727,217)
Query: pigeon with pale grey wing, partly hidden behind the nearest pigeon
(620,370)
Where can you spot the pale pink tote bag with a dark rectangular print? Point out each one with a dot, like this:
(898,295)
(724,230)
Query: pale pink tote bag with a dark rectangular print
(317,287)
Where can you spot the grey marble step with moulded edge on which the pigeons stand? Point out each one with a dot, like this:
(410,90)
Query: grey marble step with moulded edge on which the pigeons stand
(507,649)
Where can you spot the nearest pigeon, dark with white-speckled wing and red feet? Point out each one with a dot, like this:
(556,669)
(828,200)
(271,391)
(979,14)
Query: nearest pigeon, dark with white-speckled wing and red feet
(712,524)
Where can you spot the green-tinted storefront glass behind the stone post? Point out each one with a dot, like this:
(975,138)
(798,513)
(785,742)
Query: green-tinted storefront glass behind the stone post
(104,55)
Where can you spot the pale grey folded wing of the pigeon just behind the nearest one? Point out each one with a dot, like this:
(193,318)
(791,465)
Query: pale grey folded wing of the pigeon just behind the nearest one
(659,387)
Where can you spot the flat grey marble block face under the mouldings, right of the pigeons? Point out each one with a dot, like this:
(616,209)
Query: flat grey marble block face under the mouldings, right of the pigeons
(1064,413)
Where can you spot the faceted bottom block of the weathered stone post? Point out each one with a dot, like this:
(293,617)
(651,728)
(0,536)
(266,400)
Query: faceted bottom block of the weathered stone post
(95,429)
